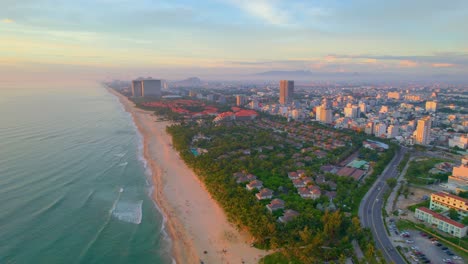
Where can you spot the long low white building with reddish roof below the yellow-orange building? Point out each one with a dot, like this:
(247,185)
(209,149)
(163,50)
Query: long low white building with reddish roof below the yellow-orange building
(442,223)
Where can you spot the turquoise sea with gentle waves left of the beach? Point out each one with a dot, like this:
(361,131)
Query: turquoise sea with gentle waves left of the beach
(73,187)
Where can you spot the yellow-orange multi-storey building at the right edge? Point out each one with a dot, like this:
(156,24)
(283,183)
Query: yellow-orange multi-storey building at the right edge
(445,201)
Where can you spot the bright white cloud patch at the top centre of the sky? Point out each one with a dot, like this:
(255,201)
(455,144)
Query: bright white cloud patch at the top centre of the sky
(268,11)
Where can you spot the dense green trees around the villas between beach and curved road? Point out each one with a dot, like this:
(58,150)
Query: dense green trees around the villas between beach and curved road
(319,225)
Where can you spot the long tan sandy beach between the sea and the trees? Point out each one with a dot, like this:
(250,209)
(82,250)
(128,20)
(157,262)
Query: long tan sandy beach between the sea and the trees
(197,225)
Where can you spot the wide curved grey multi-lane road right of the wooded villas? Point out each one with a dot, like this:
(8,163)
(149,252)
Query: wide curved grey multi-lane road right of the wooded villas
(370,210)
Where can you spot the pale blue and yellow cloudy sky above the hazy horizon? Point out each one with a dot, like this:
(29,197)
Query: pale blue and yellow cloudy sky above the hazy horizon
(214,39)
